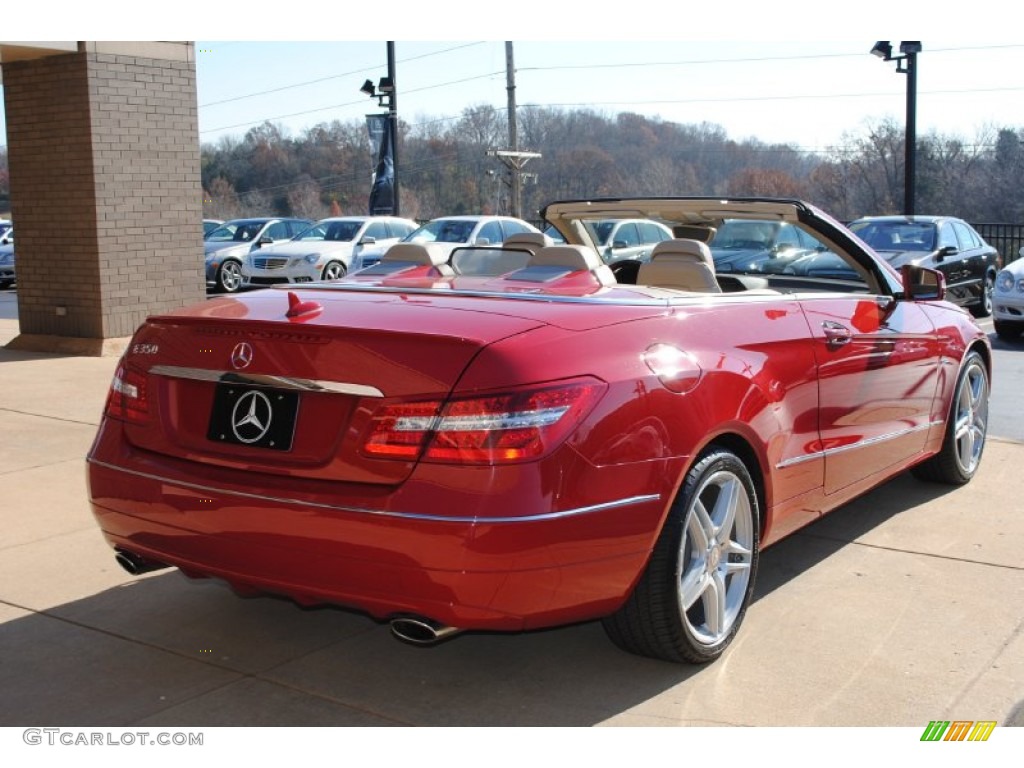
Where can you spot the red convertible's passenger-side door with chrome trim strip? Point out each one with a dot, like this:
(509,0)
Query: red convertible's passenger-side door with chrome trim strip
(878,373)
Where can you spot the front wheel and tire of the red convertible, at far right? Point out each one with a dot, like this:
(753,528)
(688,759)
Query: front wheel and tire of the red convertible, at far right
(967,426)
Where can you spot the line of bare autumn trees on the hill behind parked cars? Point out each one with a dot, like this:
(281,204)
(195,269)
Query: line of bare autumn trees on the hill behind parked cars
(444,167)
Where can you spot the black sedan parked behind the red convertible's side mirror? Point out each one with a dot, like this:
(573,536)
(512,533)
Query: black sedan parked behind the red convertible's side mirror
(944,243)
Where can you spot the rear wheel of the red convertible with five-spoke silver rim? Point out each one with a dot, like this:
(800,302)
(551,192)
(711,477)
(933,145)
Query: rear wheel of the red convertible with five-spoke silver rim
(694,594)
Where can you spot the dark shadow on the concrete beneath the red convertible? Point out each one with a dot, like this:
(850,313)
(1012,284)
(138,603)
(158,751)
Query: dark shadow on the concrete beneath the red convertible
(163,651)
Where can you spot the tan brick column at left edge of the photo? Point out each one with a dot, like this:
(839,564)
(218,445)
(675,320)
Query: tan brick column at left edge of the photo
(106,194)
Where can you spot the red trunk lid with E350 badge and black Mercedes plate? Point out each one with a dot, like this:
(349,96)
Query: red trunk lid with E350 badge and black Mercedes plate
(318,377)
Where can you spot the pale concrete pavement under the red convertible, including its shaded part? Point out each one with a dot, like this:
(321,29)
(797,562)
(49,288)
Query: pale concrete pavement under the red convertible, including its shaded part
(901,609)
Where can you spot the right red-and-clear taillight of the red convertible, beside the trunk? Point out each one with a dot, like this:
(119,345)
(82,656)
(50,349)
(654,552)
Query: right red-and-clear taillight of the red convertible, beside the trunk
(498,429)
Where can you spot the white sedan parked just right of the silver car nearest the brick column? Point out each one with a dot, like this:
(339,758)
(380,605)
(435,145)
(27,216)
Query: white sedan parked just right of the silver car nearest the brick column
(325,251)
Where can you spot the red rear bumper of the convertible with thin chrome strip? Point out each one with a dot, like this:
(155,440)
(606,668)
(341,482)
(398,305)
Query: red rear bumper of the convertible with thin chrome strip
(546,569)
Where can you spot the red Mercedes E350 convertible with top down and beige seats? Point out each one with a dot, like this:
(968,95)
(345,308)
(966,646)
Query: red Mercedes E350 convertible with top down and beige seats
(522,437)
